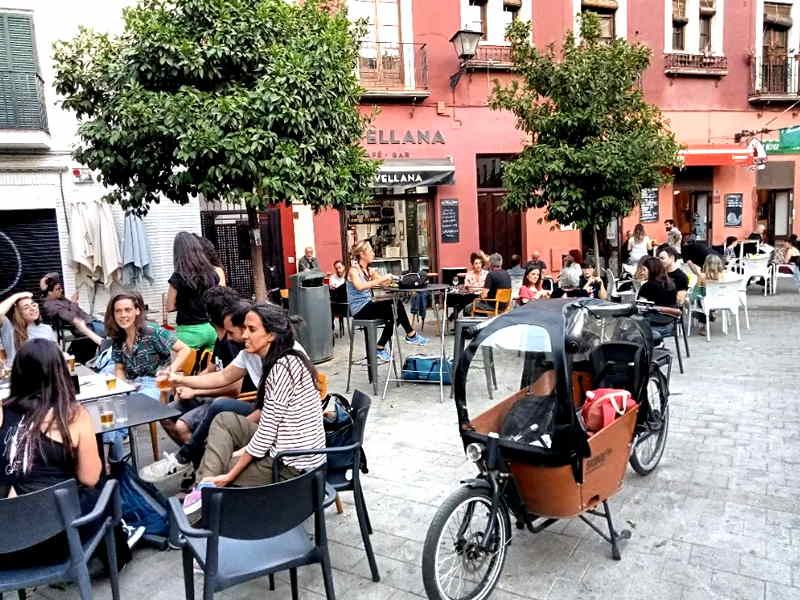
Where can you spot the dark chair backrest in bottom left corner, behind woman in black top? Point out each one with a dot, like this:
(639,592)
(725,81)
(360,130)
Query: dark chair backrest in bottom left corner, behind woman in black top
(54,508)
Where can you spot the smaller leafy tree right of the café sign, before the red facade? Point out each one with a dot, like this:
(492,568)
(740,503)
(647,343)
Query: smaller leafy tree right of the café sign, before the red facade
(594,142)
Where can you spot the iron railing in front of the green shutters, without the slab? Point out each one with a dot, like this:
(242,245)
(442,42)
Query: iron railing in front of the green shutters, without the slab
(22,101)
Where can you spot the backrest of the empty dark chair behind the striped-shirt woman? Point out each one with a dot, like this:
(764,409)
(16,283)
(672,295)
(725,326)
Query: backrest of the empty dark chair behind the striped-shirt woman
(252,513)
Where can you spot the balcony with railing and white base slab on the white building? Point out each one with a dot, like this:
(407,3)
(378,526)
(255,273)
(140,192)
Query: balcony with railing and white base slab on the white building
(23,112)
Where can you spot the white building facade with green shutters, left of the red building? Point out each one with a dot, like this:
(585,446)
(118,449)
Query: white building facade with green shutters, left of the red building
(39,180)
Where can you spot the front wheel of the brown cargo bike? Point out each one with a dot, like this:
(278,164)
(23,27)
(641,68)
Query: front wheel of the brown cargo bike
(454,564)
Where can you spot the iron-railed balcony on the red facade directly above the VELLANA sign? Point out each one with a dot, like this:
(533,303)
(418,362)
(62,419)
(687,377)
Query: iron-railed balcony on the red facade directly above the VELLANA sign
(393,71)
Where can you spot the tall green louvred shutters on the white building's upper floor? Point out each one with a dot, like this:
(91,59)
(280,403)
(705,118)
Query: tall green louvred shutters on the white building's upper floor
(21,87)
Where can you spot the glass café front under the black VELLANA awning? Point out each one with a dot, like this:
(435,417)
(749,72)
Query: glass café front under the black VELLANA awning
(400,229)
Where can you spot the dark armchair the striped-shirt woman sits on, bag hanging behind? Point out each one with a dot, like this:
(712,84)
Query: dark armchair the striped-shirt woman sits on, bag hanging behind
(338,478)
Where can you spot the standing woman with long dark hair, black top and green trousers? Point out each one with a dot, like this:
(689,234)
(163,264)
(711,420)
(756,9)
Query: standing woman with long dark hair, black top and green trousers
(194,274)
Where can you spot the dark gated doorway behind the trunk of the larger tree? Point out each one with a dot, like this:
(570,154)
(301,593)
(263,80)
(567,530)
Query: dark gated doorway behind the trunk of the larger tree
(228,231)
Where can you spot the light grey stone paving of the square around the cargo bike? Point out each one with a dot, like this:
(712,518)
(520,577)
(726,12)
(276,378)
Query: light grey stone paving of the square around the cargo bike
(719,519)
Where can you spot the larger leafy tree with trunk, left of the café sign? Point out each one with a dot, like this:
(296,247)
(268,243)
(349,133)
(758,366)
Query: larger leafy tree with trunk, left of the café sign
(241,101)
